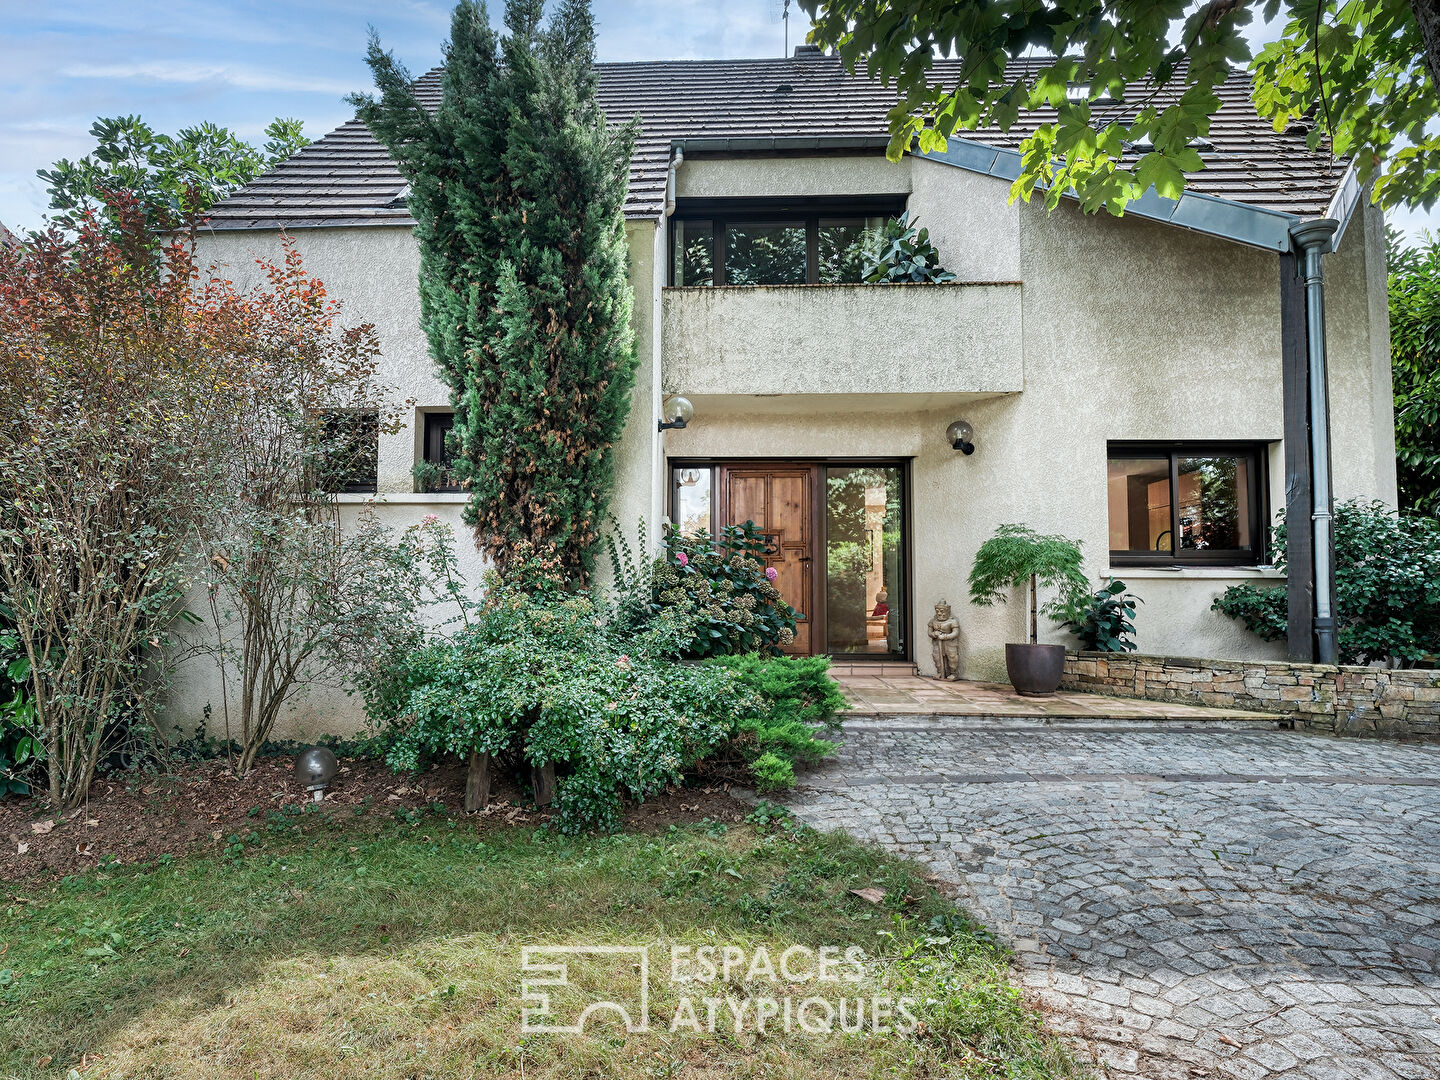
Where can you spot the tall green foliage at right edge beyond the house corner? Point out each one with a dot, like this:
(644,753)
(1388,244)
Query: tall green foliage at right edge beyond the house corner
(1415,356)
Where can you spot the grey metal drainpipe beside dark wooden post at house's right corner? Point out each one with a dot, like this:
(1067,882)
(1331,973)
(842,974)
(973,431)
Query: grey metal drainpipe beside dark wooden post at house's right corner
(1314,240)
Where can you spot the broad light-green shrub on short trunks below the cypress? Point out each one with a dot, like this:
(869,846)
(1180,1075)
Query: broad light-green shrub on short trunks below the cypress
(544,676)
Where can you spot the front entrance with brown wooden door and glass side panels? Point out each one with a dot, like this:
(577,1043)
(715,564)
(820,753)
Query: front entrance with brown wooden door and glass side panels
(837,538)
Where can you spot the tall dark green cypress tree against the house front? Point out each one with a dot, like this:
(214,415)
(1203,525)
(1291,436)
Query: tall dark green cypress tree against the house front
(519,186)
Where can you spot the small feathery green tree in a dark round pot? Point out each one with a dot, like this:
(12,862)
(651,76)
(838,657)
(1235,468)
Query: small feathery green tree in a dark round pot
(1017,558)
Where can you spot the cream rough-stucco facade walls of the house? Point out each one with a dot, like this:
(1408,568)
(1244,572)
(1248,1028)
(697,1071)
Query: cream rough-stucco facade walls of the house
(1068,333)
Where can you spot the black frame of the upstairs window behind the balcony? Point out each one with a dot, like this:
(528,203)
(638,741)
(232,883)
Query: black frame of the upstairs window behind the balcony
(809,211)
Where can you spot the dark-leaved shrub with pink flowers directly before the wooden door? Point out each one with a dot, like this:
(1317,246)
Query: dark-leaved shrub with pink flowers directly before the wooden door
(725,590)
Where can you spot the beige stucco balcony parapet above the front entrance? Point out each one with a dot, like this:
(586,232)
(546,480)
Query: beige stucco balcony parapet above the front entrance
(855,341)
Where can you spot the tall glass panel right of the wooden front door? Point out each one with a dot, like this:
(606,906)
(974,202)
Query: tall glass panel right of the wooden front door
(865,562)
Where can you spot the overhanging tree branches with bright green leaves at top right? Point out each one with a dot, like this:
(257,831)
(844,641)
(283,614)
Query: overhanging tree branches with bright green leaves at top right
(1359,74)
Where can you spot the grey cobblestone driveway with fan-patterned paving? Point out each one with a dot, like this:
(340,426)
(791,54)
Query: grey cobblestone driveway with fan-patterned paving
(1190,904)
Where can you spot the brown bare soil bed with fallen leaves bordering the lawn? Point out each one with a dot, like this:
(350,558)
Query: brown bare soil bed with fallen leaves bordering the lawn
(140,817)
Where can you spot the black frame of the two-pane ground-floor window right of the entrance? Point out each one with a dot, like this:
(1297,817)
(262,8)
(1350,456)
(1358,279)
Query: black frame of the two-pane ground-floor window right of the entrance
(1258,512)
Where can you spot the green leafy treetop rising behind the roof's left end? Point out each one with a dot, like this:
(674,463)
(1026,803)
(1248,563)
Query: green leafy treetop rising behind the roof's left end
(174,178)
